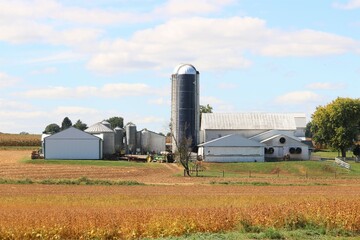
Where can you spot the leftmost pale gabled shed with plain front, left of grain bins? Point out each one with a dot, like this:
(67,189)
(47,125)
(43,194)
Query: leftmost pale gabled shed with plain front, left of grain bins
(72,143)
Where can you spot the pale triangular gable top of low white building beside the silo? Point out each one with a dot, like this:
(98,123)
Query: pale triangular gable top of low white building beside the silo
(232,140)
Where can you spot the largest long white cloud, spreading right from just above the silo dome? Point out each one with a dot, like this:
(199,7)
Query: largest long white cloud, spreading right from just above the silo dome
(213,44)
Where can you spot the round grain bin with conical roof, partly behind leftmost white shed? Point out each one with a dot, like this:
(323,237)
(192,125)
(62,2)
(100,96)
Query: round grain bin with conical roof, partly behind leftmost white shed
(108,136)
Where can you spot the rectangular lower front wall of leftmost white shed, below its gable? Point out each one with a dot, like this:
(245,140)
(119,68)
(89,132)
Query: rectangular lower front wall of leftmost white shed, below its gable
(72,149)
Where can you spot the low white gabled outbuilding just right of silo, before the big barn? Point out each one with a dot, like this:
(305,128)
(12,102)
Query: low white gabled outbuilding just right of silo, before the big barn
(232,148)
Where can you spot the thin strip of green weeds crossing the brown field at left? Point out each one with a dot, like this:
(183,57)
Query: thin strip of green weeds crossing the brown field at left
(79,181)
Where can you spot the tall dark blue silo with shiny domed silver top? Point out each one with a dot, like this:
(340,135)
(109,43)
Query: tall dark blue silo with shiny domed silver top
(185,106)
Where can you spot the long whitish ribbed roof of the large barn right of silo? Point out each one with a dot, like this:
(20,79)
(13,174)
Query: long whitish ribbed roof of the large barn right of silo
(248,121)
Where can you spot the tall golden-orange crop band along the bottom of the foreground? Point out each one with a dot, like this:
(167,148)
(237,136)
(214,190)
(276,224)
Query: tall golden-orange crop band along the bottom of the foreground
(99,222)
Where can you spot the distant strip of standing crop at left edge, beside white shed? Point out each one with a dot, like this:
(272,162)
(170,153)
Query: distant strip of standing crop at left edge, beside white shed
(20,140)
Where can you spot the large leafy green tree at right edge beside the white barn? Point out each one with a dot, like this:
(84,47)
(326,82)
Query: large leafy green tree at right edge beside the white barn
(337,124)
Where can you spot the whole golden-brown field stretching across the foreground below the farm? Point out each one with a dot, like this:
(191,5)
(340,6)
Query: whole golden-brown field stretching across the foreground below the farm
(168,205)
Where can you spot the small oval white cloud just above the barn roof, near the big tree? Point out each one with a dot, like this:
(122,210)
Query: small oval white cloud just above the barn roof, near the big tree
(299,97)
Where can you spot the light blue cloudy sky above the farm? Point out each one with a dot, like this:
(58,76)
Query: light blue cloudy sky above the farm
(95,59)
